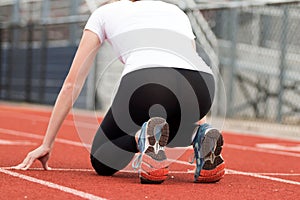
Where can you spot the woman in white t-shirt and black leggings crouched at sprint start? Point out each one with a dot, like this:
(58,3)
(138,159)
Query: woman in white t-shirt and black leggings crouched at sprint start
(165,90)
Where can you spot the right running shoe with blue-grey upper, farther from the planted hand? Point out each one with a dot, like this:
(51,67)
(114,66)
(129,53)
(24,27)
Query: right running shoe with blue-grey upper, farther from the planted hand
(207,144)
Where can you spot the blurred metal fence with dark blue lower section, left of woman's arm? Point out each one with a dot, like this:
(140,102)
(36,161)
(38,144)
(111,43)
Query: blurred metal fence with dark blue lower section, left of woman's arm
(38,41)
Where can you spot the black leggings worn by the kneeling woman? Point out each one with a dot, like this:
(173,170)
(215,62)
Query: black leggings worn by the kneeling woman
(180,96)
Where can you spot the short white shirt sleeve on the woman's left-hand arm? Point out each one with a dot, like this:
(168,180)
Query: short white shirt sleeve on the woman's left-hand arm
(96,25)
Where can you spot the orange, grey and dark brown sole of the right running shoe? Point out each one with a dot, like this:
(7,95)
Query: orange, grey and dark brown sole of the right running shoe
(214,167)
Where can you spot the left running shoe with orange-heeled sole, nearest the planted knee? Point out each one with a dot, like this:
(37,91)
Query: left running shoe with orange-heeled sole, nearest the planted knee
(152,161)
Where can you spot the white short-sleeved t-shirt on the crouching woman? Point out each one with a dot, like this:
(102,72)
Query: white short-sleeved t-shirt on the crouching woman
(146,33)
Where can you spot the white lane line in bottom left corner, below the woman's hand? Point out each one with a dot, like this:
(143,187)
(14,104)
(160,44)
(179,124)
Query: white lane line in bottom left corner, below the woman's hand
(52,185)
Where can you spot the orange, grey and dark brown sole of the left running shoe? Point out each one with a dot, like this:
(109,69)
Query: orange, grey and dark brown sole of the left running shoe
(154,167)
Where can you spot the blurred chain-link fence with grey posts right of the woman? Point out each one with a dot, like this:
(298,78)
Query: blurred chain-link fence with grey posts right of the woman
(259,52)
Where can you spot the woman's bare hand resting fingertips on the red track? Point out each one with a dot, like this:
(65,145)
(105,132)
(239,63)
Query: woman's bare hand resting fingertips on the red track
(41,153)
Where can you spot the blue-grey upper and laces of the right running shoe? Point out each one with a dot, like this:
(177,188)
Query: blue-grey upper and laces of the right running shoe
(197,141)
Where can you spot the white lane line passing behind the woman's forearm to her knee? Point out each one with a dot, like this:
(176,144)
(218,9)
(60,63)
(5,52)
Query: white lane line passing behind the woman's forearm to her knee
(40,137)
